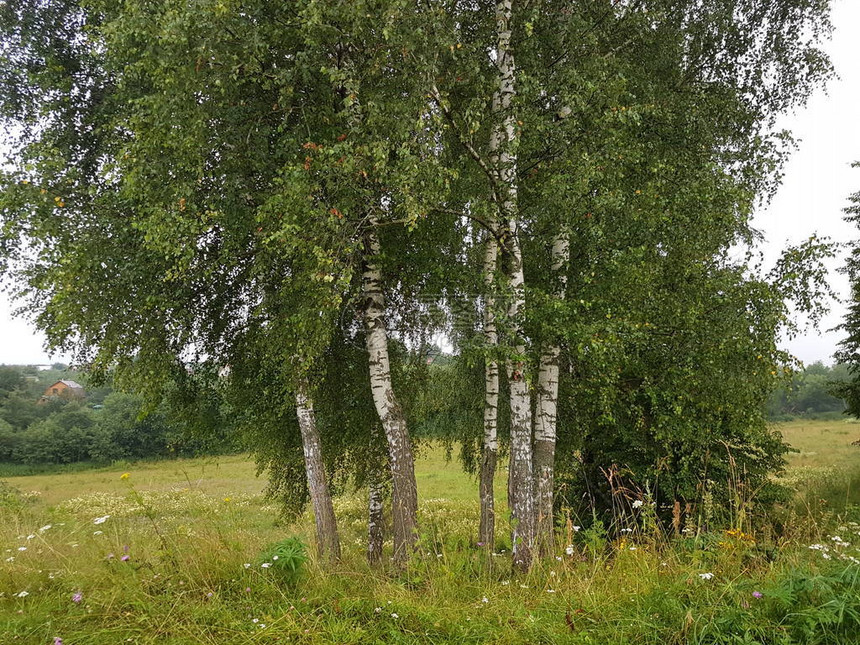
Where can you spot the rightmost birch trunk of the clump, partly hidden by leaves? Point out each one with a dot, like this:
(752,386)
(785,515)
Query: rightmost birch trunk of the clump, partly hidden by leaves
(546,411)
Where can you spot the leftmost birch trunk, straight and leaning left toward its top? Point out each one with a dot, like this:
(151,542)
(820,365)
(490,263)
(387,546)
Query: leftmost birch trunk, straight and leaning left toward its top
(328,544)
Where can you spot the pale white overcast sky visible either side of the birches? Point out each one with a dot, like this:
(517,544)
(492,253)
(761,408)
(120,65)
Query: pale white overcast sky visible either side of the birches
(818,180)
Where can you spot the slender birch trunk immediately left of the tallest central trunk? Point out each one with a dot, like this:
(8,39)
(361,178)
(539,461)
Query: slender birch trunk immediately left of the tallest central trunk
(487,530)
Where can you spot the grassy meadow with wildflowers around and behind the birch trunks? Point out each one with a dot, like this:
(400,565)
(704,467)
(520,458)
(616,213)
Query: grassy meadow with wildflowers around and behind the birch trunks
(174,552)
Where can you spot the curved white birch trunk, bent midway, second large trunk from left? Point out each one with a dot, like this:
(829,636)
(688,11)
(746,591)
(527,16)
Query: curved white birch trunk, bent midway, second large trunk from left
(404,497)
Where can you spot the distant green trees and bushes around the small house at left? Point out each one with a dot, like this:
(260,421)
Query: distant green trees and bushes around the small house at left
(106,426)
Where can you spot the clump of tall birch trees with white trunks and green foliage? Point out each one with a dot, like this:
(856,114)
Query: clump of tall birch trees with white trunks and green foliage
(287,201)
